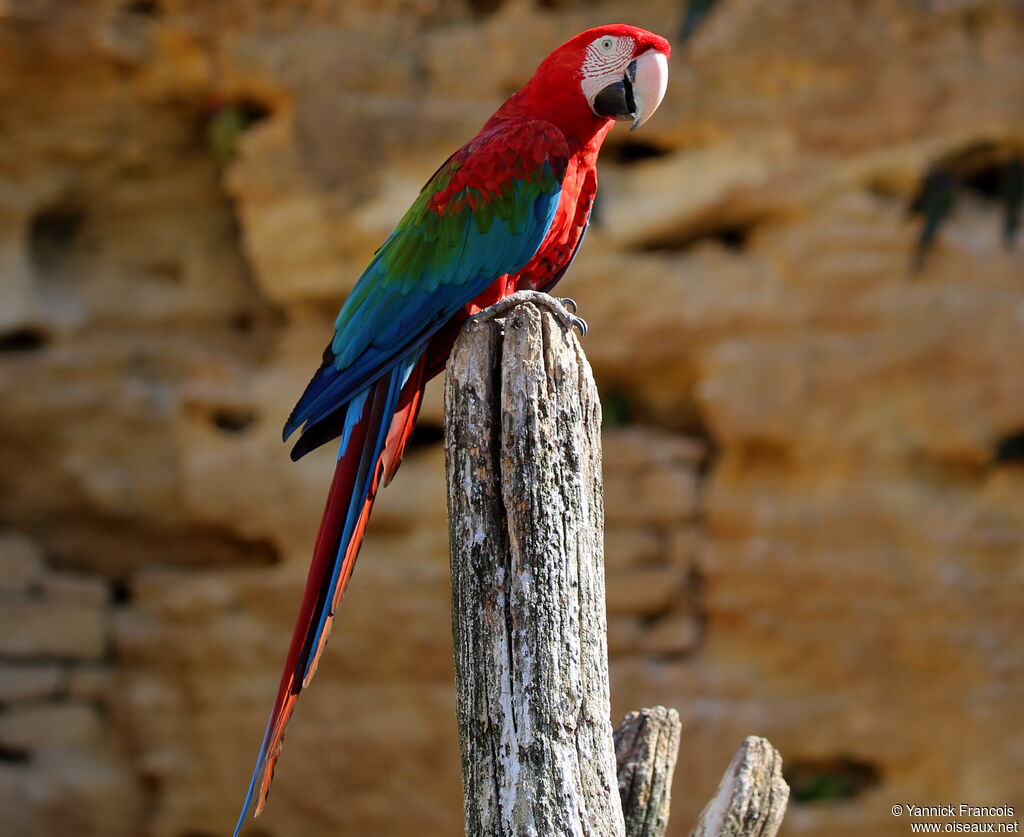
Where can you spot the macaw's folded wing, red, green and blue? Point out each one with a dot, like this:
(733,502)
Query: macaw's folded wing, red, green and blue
(484,215)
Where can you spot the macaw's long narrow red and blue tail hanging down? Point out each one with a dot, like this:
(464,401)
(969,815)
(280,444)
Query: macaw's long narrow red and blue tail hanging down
(378,424)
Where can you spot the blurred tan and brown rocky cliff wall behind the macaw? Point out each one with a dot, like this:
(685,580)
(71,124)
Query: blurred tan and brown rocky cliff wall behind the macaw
(815,443)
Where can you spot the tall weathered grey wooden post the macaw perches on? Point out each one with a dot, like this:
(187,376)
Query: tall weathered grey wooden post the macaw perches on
(524,459)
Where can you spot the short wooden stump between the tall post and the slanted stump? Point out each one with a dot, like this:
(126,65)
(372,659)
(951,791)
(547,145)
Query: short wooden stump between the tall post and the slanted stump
(647,746)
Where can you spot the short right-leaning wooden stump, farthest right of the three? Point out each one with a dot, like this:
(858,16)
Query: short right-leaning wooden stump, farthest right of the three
(752,797)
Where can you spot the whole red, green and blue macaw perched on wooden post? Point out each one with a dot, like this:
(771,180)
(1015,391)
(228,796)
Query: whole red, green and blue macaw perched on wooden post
(504,216)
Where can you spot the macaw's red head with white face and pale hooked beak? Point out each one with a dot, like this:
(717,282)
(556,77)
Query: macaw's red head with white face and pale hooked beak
(615,72)
